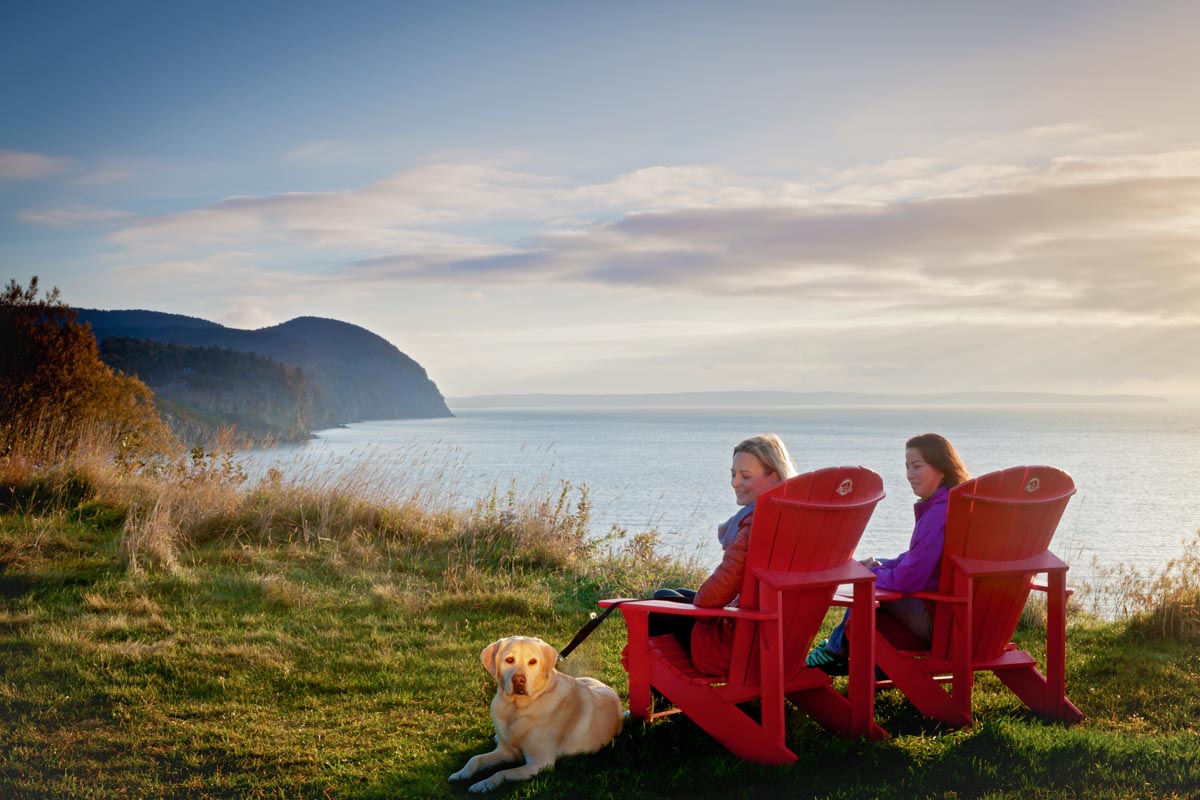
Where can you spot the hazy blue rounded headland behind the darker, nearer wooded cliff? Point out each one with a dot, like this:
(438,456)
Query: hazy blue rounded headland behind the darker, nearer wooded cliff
(351,374)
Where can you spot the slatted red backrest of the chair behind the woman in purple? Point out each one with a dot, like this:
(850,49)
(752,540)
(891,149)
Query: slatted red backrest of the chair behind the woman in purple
(1001,516)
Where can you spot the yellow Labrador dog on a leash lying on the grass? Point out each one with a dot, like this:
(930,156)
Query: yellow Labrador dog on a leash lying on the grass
(541,713)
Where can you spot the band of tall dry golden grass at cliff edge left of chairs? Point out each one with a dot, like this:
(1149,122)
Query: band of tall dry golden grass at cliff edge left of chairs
(371,508)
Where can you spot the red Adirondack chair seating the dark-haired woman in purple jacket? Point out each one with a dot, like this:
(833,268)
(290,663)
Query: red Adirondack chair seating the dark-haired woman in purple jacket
(998,533)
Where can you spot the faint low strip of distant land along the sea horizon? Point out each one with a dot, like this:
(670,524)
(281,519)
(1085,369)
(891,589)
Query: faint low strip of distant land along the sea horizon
(782,399)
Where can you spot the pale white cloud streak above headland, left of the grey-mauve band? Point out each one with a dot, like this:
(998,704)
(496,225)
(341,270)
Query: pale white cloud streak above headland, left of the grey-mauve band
(445,197)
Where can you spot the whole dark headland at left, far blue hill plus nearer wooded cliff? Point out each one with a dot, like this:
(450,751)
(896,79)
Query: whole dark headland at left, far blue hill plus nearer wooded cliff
(280,382)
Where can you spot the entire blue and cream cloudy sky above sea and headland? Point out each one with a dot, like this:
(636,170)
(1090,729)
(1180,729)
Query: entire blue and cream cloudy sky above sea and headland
(631,197)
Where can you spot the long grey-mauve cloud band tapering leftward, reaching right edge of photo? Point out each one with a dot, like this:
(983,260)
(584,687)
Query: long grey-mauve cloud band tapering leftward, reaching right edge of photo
(1126,249)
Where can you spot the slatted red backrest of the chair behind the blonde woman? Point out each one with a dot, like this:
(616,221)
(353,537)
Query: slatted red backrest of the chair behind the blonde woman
(809,524)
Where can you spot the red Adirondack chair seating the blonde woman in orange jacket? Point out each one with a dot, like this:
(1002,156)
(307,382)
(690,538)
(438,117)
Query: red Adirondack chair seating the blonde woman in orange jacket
(802,540)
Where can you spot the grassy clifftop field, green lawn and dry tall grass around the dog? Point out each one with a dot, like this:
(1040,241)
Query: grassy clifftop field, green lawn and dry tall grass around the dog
(195,637)
